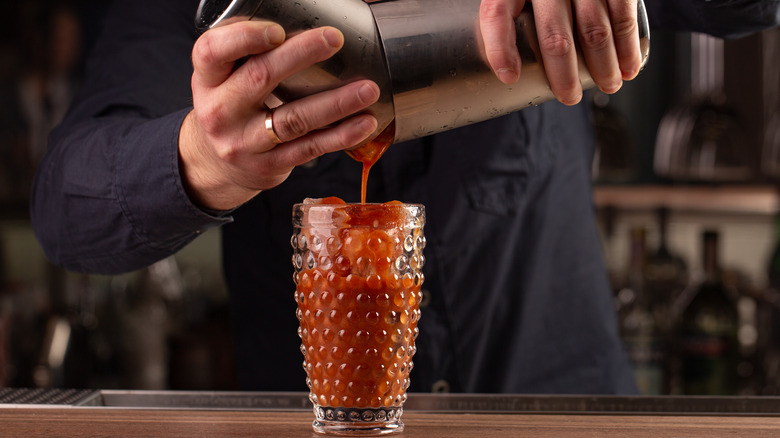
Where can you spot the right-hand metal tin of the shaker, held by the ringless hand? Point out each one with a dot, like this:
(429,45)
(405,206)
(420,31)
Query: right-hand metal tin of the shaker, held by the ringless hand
(440,76)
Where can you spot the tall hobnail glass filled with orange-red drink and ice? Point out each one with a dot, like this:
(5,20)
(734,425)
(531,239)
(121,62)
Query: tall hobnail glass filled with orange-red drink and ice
(358,277)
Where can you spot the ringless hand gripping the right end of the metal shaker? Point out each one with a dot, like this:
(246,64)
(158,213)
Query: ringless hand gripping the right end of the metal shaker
(607,31)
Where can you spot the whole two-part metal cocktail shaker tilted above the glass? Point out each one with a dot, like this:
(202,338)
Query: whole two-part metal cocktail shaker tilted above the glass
(426,56)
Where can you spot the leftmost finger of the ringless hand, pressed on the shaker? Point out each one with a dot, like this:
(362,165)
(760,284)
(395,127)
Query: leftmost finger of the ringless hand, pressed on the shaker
(497,26)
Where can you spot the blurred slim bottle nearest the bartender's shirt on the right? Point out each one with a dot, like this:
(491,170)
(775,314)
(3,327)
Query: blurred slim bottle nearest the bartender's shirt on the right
(638,329)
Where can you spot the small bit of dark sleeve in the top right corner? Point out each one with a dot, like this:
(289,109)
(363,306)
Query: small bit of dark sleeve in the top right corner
(722,18)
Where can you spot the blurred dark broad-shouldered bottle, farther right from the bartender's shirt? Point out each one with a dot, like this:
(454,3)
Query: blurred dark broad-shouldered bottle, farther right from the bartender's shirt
(708,343)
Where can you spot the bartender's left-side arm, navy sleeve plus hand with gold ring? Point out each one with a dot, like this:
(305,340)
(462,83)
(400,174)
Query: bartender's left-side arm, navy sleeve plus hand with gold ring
(134,173)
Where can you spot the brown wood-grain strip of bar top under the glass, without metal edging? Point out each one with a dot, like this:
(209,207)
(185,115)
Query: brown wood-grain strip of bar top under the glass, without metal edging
(120,422)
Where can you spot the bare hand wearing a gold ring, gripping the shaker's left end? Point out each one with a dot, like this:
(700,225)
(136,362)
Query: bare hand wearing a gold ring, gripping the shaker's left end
(226,154)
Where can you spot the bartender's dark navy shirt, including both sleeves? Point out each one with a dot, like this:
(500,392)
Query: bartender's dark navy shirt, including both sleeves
(517,298)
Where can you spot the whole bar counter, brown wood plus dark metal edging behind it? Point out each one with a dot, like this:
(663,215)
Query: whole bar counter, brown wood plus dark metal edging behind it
(280,415)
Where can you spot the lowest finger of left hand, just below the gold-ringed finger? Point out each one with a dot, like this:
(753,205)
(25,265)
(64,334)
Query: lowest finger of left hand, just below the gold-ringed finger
(345,135)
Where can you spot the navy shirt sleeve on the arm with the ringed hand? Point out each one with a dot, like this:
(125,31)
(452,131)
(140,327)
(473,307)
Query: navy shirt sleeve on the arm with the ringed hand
(108,196)
